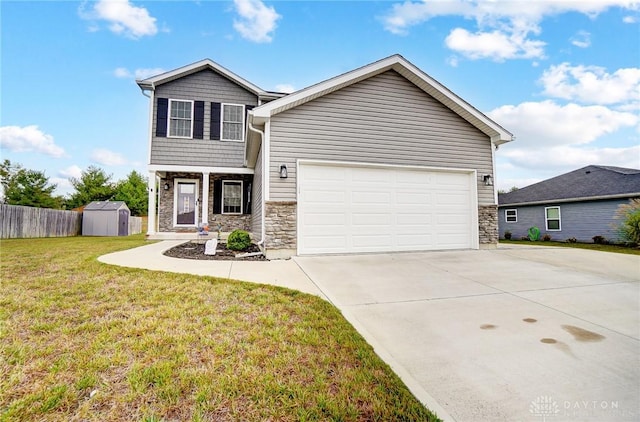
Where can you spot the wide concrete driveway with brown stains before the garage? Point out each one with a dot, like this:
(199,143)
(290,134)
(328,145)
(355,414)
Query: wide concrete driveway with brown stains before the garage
(517,333)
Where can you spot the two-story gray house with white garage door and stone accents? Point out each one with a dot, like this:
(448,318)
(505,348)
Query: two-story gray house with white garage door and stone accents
(382,158)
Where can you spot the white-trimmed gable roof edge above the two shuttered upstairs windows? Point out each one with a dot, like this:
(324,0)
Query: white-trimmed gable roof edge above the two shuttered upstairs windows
(205,64)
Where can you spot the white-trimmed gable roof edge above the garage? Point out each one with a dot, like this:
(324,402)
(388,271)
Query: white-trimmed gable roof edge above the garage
(398,63)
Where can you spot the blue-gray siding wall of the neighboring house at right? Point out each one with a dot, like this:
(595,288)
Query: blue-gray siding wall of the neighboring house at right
(581,220)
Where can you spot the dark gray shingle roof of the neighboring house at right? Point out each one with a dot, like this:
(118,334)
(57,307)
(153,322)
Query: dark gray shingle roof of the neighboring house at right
(588,183)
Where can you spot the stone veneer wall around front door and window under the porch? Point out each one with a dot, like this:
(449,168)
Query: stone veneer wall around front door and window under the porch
(228,222)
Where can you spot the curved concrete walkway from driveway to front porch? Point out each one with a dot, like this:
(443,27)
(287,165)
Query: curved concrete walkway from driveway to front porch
(283,273)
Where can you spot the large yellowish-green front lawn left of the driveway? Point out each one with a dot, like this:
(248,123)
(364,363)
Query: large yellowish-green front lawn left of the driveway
(81,340)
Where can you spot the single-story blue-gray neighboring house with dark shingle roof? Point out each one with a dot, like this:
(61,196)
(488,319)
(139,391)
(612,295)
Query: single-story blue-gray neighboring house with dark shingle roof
(580,204)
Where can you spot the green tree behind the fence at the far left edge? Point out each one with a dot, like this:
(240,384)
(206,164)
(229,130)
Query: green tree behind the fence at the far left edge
(26,187)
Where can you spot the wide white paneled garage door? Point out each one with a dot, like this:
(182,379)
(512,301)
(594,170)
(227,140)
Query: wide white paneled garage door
(347,209)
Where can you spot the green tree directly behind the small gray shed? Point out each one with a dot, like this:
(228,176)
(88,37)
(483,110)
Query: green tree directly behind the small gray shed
(93,185)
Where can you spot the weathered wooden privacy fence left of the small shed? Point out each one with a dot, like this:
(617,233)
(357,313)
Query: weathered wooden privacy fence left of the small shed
(18,222)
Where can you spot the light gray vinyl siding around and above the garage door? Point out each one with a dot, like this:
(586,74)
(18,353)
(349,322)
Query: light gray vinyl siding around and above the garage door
(384,119)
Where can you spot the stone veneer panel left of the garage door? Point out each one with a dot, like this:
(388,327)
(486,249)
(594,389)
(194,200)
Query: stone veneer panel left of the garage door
(280,220)
